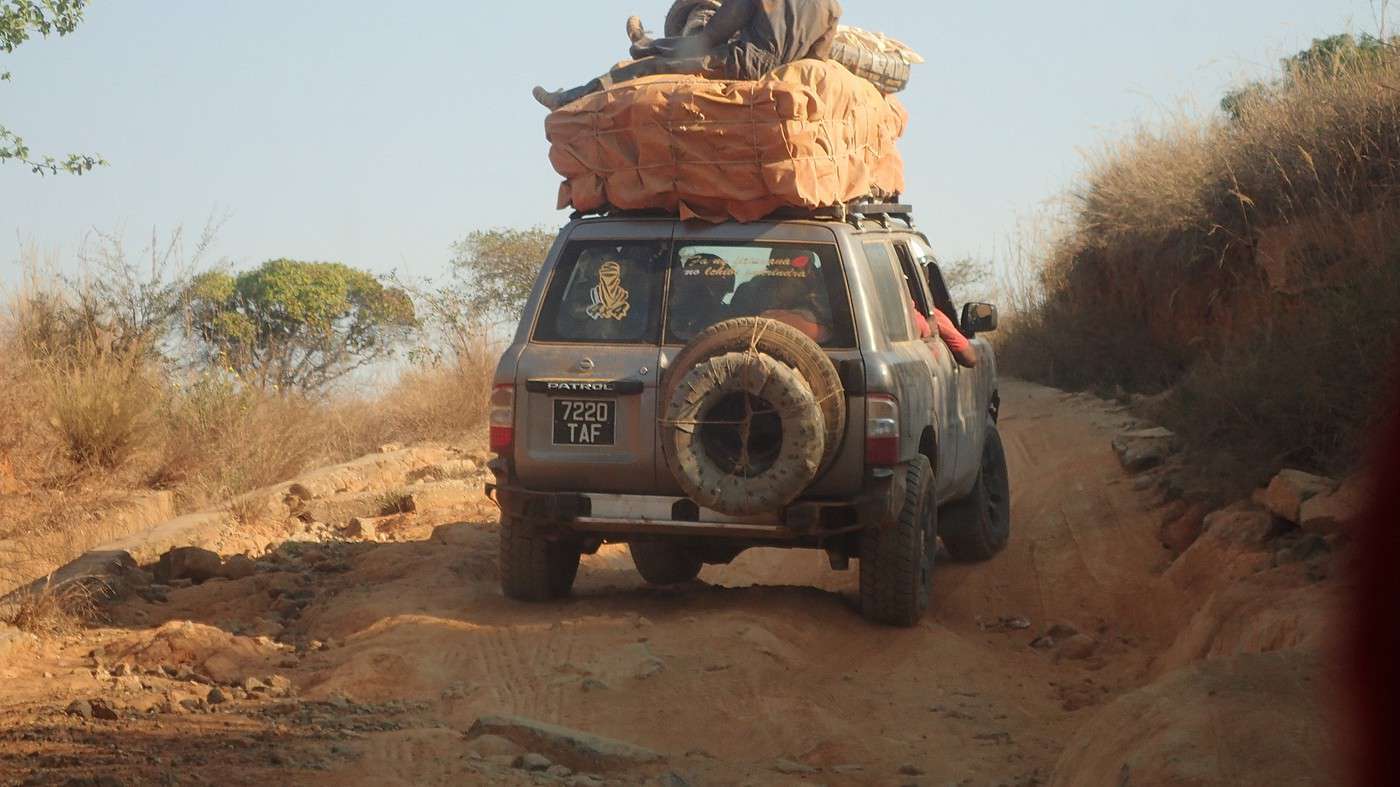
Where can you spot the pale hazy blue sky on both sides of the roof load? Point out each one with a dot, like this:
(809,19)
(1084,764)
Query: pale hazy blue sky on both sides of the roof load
(377,134)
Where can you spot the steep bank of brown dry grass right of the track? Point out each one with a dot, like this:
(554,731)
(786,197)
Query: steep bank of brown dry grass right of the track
(1247,267)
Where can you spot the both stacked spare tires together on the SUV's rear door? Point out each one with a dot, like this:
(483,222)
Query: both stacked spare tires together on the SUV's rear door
(744,429)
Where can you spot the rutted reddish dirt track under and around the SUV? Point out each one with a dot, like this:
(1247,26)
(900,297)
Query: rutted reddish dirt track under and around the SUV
(759,674)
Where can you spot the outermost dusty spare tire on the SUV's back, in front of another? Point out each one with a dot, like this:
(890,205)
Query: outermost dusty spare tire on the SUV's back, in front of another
(733,482)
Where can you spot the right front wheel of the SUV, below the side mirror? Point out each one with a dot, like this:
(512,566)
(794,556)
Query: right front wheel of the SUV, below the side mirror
(979,526)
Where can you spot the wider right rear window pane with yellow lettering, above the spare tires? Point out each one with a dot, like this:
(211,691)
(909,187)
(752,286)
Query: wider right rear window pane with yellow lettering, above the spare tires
(799,285)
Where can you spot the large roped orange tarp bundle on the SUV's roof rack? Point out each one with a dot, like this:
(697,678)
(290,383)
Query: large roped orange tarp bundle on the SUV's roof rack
(808,135)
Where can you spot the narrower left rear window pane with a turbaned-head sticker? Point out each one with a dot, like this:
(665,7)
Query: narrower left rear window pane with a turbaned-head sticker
(605,292)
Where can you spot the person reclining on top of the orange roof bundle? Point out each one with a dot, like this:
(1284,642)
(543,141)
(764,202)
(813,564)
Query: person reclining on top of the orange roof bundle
(745,40)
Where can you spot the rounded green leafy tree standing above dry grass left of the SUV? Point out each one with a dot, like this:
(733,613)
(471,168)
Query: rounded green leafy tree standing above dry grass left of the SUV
(296,326)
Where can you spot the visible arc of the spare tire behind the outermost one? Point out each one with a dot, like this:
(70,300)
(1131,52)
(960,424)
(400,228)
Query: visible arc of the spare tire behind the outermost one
(785,344)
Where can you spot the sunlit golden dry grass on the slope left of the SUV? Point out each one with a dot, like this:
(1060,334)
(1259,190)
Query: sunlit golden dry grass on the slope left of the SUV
(89,424)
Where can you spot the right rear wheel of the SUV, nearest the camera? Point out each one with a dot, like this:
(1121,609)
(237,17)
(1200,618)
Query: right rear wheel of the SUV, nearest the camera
(898,559)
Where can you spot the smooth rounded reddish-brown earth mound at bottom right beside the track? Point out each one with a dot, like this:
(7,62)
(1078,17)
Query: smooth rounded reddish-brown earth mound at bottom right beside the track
(1248,720)
